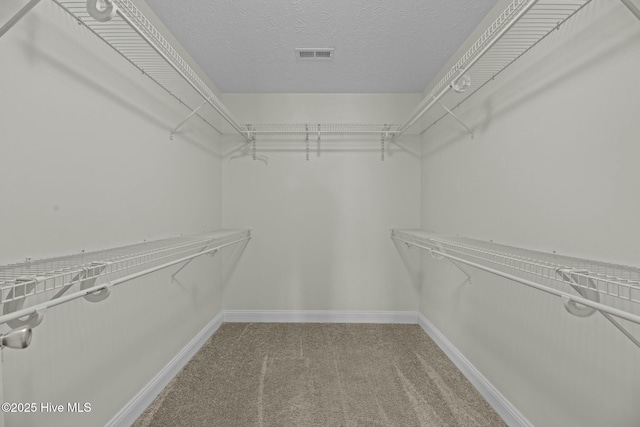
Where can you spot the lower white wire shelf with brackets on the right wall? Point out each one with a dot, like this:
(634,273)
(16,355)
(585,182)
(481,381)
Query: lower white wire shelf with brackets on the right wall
(585,286)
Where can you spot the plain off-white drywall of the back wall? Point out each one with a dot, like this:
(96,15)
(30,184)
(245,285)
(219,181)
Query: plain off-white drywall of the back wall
(321,227)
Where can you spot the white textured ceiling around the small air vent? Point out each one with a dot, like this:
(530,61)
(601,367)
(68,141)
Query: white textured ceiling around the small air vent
(381,46)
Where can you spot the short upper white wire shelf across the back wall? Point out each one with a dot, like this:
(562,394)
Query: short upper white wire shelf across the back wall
(321,128)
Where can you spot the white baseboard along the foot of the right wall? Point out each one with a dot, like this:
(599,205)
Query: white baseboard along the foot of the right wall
(502,406)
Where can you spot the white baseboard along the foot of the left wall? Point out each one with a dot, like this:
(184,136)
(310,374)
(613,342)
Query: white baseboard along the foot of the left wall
(136,406)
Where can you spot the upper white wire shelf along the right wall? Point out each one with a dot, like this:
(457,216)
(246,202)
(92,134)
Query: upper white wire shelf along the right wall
(522,25)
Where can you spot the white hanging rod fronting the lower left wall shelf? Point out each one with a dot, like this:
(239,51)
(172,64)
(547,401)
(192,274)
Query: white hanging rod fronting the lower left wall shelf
(42,307)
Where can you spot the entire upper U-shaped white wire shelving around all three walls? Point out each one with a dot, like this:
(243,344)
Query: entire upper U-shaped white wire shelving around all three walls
(519,28)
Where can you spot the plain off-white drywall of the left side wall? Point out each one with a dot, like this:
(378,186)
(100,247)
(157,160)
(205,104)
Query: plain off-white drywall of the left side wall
(87,164)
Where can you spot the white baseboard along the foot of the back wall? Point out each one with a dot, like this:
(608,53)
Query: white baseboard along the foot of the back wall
(320,316)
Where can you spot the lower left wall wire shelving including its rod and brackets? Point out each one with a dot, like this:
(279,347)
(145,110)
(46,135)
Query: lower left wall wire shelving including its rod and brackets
(91,275)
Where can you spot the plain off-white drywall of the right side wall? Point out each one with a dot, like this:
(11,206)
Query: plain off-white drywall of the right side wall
(553,167)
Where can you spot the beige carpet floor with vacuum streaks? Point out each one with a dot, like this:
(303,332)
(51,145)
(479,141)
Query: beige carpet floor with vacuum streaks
(264,374)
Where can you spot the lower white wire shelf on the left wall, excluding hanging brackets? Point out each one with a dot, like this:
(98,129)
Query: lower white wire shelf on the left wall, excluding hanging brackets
(31,278)
